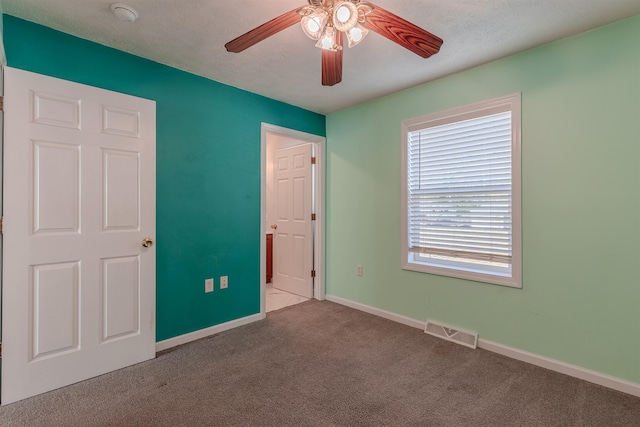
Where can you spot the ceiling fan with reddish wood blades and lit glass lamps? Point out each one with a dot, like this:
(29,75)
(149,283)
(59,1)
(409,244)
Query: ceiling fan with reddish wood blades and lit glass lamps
(330,21)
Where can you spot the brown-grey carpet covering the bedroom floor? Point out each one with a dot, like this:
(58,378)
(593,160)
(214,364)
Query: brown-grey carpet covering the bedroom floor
(322,364)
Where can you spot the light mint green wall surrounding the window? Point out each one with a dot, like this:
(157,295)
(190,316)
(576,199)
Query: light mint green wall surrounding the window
(580,301)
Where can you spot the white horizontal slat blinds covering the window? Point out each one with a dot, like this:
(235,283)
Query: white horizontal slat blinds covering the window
(459,189)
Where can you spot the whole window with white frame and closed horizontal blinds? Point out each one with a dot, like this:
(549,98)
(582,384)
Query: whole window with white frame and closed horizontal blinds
(461,192)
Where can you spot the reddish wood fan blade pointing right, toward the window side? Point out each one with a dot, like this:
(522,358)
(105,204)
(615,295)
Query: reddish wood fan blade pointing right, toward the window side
(403,32)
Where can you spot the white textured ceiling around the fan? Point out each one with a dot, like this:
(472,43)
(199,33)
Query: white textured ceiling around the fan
(190,35)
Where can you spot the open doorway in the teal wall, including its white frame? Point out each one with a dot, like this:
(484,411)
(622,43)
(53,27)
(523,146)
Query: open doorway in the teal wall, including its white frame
(281,147)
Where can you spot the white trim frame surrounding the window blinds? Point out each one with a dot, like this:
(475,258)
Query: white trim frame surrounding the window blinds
(512,102)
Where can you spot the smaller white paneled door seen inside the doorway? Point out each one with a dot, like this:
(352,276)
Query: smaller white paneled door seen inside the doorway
(293,242)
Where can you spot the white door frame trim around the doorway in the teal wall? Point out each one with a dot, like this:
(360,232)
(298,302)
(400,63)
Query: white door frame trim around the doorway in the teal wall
(319,202)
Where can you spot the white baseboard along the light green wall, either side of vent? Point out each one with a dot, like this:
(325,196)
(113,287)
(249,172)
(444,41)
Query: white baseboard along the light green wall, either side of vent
(514,353)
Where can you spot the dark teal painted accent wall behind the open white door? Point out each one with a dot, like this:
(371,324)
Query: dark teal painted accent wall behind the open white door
(208,169)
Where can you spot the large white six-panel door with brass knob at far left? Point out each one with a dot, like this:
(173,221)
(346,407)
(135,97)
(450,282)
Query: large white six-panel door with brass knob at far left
(79,199)
